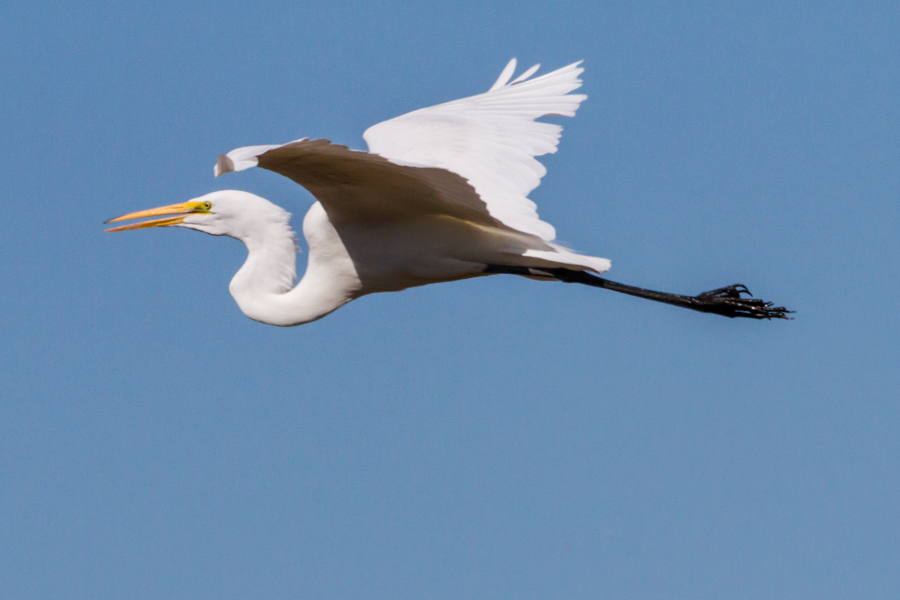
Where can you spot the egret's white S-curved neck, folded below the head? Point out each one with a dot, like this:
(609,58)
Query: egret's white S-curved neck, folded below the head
(262,287)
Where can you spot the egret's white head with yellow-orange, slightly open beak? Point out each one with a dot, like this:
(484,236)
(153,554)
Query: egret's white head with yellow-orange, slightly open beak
(237,214)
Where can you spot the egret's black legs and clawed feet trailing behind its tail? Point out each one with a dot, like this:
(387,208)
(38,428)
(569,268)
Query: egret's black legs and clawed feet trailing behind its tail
(728,301)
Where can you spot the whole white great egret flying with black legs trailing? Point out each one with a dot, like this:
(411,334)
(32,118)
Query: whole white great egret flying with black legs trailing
(441,195)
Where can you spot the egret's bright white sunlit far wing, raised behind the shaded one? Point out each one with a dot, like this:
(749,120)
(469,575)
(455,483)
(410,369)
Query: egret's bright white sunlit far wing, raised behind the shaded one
(490,139)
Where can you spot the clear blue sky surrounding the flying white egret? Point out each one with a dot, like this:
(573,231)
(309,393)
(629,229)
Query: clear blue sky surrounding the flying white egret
(496,438)
